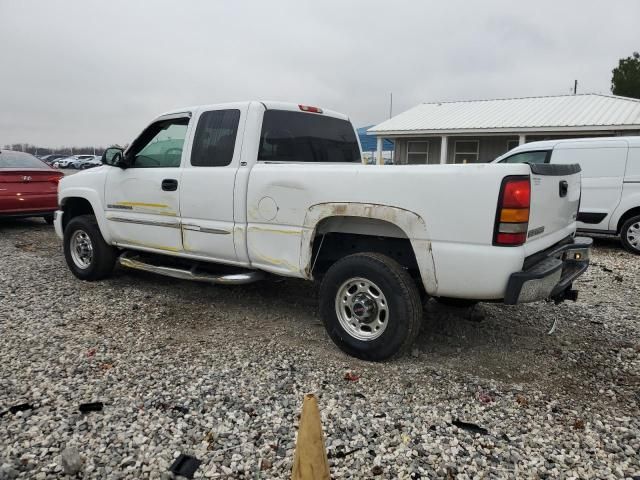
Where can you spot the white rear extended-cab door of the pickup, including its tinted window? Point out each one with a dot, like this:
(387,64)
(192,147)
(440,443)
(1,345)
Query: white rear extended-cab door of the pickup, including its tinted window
(208,183)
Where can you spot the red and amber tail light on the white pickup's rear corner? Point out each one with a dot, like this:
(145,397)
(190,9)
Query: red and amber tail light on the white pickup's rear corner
(512,217)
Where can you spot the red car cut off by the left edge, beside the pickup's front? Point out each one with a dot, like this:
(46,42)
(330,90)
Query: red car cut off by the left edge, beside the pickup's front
(28,186)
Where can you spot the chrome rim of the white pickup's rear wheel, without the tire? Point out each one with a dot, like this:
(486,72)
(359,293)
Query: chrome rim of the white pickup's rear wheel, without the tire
(362,309)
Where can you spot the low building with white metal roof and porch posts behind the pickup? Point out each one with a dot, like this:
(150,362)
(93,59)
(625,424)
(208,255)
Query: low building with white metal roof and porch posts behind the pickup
(480,130)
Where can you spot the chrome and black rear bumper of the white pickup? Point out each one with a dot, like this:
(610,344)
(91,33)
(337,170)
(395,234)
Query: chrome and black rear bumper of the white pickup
(551,276)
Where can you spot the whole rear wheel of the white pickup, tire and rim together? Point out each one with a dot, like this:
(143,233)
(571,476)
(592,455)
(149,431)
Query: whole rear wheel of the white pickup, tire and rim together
(370,306)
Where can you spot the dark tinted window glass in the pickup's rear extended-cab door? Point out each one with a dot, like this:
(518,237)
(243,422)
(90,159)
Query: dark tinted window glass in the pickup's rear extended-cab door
(215,138)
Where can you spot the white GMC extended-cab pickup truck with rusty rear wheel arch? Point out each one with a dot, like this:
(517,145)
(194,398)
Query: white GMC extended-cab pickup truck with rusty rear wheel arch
(233,193)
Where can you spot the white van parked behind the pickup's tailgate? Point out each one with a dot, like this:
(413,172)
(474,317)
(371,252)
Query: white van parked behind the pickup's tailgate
(610,181)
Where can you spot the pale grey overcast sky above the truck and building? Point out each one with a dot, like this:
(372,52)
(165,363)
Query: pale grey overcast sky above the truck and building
(96,72)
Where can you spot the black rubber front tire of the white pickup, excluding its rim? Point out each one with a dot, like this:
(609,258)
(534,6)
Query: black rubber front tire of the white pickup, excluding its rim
(103,256)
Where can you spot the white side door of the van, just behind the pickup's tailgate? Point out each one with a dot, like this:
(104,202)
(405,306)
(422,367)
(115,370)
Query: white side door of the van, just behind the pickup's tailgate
(602,163)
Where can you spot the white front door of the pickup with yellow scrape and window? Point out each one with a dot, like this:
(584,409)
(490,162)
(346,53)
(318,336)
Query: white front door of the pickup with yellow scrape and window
(142,201)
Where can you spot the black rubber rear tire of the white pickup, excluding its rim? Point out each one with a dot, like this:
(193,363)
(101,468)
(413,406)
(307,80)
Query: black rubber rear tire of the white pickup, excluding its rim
(398,289)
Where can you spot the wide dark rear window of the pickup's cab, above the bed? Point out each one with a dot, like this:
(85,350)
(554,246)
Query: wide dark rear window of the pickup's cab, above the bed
(289,136)
